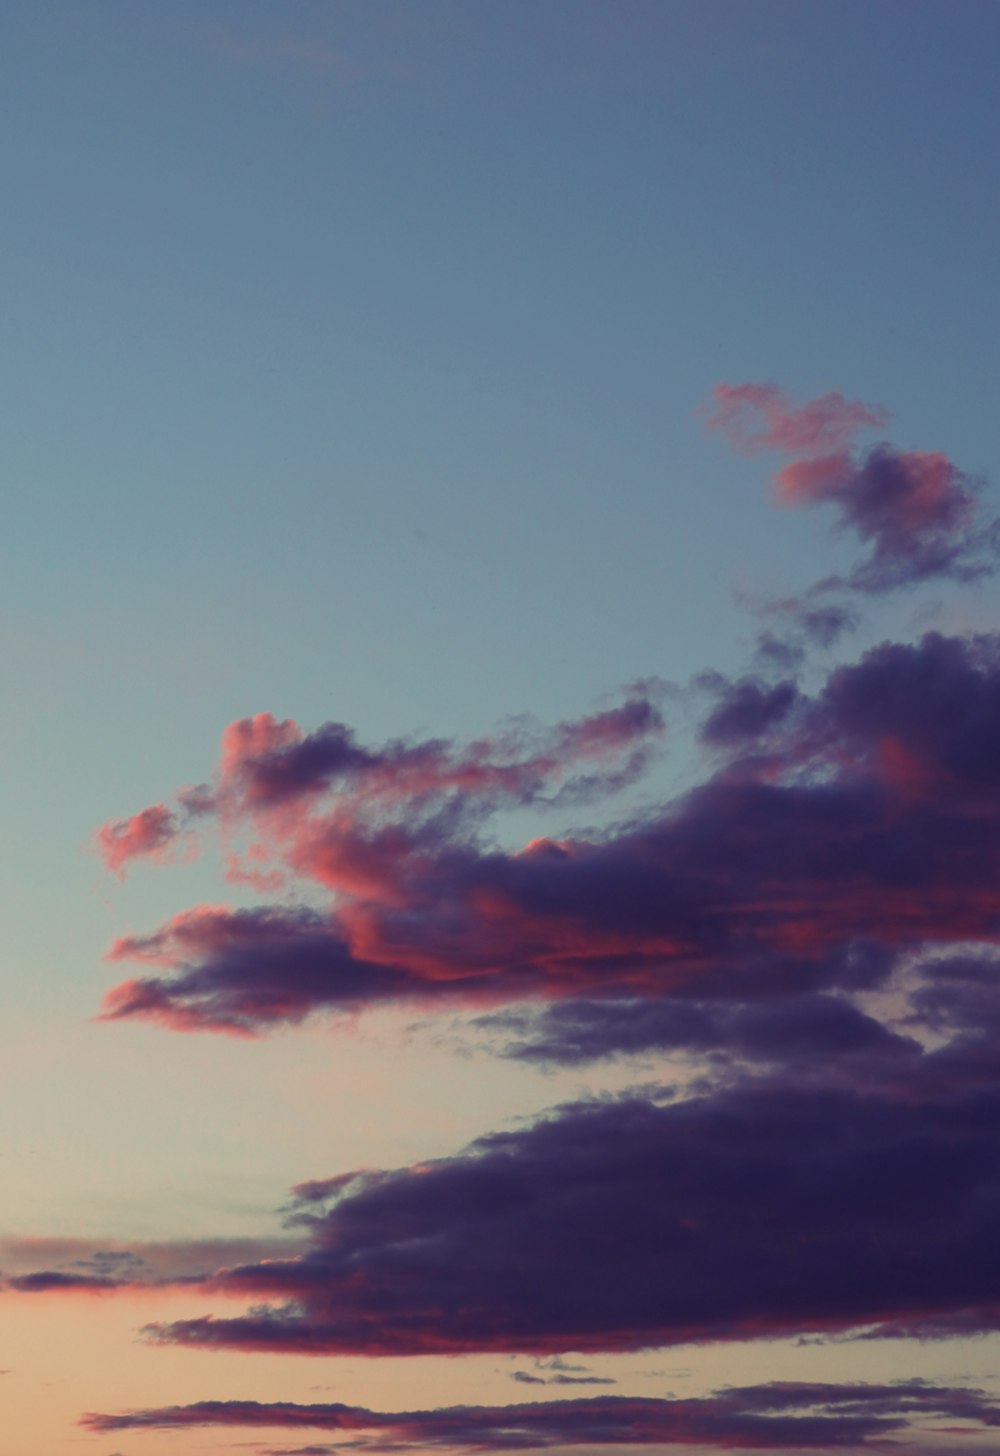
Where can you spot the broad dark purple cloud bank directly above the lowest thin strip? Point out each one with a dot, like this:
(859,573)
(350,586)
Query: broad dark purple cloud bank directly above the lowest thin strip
(826,1176)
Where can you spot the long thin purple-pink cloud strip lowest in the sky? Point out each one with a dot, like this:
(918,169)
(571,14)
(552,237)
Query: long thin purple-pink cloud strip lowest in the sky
(782,1416)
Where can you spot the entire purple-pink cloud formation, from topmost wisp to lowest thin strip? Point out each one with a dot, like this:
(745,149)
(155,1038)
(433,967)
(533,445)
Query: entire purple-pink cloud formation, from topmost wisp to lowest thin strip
(806,946)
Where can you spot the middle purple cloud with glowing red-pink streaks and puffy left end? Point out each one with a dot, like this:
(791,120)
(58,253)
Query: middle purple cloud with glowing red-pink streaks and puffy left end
(839,832)
